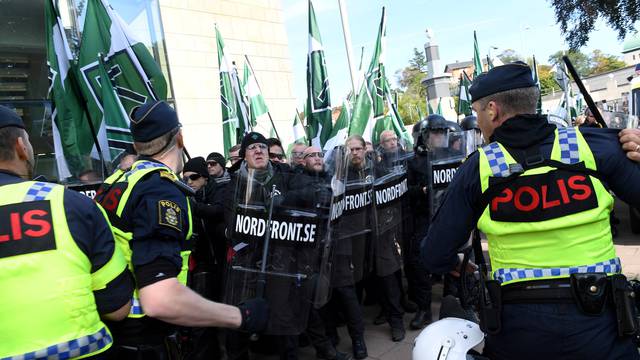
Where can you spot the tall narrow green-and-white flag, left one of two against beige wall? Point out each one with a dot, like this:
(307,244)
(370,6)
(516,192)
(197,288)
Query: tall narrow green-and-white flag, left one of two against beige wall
(228,101)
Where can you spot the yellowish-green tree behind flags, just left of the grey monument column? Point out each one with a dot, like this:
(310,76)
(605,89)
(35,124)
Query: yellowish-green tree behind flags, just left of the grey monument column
(412,93)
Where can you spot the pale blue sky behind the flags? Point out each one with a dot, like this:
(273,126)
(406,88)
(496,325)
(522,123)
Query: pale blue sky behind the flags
(528,27)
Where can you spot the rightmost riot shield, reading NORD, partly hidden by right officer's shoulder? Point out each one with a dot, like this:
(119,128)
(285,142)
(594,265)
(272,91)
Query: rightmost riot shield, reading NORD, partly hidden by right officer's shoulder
(444,162)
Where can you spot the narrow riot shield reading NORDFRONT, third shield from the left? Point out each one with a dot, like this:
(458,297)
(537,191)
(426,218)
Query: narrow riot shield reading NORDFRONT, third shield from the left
(390,187)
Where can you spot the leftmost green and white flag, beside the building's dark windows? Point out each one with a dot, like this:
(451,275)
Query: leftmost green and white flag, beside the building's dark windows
(72,138)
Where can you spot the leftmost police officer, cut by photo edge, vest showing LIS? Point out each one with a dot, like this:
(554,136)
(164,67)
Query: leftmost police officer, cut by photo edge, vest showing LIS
(60,270)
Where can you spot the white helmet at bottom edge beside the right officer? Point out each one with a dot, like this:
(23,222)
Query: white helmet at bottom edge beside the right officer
(447,339)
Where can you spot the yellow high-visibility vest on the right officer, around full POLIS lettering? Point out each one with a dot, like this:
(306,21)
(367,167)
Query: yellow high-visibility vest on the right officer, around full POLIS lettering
(553,247)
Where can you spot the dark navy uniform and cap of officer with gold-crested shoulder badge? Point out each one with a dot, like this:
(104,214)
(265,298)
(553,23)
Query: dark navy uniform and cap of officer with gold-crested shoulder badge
(156,242)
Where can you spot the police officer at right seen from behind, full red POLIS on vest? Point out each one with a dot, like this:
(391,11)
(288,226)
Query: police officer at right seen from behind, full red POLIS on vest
(540,195)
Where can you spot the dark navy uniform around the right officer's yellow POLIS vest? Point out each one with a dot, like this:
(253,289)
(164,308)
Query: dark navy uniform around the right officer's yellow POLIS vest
(561,327)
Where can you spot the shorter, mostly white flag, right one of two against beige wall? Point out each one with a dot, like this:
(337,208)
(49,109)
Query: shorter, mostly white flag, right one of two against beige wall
(258,111)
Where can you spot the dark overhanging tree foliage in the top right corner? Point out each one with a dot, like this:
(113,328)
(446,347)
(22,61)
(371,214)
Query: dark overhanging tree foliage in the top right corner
(577,18)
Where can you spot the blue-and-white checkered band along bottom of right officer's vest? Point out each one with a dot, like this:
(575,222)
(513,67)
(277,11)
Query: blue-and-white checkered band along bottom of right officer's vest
(506,275)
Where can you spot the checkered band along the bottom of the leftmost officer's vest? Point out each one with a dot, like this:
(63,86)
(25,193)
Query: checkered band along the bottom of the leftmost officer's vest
(69,349)
